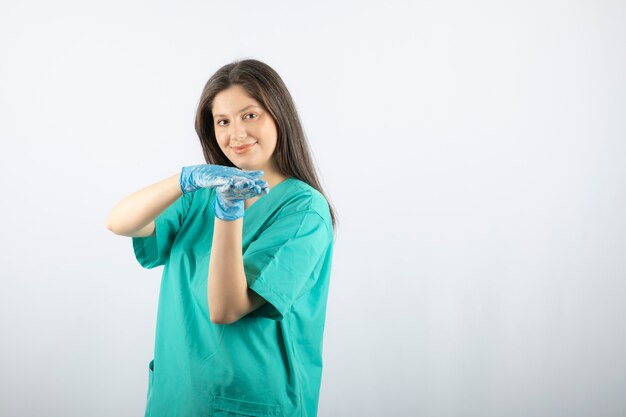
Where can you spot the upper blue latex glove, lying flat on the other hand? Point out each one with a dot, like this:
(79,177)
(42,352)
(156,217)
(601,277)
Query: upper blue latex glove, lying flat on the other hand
(211,176)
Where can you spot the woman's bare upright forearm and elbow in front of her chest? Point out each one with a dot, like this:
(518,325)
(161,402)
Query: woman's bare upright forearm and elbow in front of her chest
(228,293)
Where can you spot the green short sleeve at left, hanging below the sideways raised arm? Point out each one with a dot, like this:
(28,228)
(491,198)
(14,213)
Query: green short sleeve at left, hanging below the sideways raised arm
(152,251)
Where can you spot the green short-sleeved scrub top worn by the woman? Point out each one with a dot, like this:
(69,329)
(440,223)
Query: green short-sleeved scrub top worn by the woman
(269,362)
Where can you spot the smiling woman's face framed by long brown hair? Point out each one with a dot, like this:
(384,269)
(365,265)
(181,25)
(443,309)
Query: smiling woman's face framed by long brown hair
(240,120)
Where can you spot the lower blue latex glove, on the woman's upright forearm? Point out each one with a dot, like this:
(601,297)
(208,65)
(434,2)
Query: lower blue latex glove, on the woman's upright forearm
(229,201)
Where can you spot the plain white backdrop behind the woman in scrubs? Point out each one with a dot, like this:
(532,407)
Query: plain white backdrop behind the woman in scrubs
(475,153)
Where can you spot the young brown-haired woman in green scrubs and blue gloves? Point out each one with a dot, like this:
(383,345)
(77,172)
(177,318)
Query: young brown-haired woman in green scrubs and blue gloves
(247,242)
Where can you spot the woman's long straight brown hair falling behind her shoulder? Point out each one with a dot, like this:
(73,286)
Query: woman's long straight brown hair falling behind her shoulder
(262,83)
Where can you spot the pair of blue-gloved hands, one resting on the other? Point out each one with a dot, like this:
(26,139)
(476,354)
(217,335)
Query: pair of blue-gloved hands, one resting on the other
(232,187)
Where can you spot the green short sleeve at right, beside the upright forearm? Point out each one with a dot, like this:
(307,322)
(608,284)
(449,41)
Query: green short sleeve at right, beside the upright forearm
(285,261)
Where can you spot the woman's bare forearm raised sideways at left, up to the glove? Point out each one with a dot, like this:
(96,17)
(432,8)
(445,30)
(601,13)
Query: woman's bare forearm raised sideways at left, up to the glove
(140,208)
